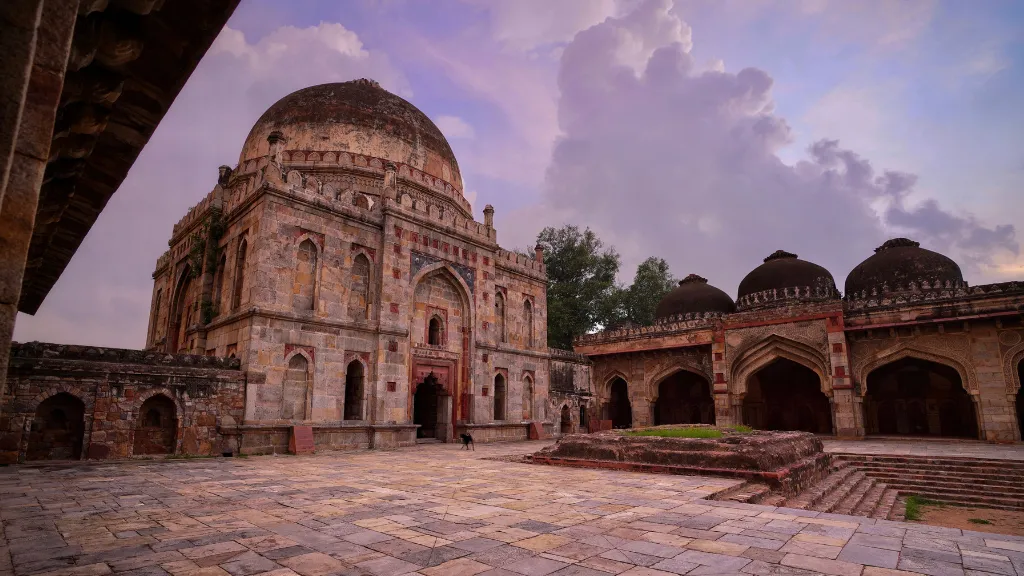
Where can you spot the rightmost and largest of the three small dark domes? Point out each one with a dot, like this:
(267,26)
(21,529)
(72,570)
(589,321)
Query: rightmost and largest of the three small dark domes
(898,264)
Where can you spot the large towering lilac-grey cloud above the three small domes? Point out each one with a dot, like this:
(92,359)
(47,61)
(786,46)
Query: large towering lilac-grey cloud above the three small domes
(663,159)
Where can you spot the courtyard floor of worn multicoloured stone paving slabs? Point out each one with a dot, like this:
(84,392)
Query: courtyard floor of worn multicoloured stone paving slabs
(438,511)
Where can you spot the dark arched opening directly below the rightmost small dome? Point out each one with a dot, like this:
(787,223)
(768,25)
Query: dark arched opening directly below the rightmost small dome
(919,398)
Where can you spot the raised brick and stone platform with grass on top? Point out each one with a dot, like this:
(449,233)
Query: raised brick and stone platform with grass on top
(787,463)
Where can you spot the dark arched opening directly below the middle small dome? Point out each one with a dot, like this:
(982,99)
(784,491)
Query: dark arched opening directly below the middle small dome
(787,396)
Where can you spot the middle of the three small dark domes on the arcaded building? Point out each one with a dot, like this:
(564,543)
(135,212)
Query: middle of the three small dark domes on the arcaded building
(785,277)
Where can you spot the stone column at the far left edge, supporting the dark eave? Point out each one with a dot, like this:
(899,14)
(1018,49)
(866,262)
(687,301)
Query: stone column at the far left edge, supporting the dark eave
(38,33)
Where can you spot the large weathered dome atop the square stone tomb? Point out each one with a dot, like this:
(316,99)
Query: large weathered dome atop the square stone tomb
(358,117)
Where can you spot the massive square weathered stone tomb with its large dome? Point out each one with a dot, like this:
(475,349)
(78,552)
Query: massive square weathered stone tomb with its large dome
(342,264)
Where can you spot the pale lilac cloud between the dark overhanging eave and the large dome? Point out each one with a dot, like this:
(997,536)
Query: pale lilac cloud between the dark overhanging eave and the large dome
(104,297)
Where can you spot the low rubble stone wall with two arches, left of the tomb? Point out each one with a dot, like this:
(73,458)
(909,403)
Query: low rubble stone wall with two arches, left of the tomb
(86,402)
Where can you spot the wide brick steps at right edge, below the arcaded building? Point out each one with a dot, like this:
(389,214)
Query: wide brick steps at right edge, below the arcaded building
(978,482)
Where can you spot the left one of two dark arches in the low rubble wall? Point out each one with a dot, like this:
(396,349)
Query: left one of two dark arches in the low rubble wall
(58,430)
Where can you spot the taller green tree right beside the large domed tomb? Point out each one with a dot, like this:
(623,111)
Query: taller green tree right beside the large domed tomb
(582,292)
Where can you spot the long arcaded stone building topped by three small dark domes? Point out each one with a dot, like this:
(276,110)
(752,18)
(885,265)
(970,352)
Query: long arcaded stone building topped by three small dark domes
(911,350)
